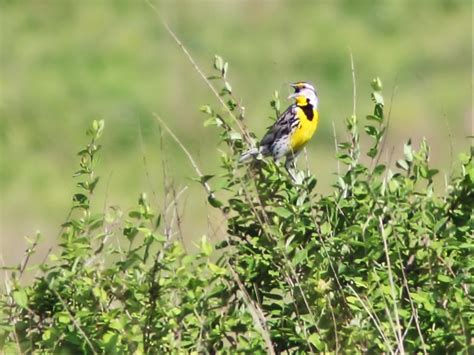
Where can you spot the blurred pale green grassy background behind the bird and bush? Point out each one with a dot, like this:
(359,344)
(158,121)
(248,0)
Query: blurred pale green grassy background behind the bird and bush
(65,63)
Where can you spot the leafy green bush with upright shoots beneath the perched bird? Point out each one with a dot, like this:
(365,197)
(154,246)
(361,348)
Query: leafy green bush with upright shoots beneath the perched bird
(379,264)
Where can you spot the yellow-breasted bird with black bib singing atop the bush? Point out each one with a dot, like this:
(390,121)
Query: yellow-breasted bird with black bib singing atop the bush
(294,128)
